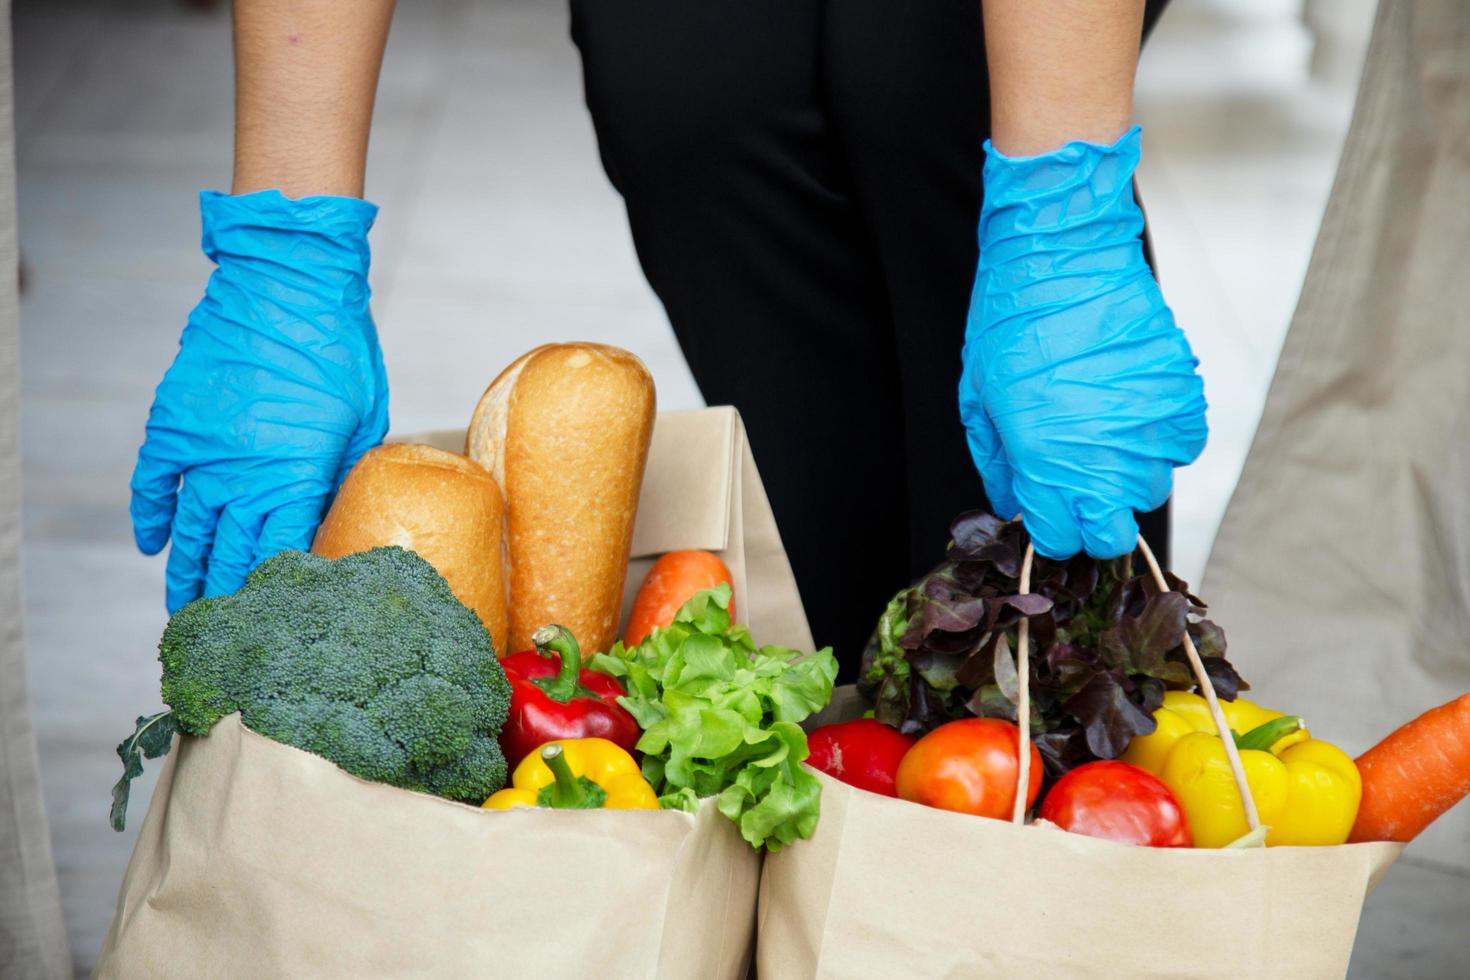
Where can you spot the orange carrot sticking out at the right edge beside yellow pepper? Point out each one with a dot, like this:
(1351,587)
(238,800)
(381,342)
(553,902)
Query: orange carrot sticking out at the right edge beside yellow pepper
(1415,775)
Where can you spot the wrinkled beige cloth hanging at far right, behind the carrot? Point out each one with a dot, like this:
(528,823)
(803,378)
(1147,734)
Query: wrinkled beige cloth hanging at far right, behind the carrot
(1356,481)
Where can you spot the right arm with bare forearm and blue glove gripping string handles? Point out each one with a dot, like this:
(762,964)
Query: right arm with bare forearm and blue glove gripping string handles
(1080,393)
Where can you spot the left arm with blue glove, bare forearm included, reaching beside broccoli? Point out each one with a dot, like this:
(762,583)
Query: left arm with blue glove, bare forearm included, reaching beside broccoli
(279,386)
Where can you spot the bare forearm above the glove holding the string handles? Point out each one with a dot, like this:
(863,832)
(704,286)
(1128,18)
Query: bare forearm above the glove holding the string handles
(1061,71)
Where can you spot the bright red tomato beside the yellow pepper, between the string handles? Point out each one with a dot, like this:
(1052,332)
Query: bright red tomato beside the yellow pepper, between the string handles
(1116,801)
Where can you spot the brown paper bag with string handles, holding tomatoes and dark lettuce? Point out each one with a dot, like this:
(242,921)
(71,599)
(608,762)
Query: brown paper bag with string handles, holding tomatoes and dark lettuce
(889,888)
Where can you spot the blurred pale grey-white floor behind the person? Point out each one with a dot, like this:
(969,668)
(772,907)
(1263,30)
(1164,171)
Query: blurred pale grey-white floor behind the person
(498,233)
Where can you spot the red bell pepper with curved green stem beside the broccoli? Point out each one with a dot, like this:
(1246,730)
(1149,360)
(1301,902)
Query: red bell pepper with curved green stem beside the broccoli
(552,697)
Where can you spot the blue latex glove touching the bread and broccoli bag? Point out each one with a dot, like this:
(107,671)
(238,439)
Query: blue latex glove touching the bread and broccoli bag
(277,389)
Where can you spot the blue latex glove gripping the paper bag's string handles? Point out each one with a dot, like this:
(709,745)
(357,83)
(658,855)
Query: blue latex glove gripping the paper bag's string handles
(1080,394)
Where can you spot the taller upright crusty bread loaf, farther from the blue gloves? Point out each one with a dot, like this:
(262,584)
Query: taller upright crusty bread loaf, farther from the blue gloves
(565,431)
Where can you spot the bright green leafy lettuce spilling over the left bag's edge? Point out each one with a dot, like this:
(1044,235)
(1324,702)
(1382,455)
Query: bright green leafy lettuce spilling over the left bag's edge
(723,719)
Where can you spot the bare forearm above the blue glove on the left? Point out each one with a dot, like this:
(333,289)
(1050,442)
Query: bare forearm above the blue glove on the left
(306,73)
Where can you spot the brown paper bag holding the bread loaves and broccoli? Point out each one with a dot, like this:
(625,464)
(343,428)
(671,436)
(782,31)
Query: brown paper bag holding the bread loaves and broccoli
(258,859)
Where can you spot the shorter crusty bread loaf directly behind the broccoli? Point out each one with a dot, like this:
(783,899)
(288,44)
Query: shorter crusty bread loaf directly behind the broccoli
(442,505)
